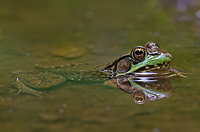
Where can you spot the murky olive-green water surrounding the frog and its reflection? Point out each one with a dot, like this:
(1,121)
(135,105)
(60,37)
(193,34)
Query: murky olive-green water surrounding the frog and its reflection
(31,32)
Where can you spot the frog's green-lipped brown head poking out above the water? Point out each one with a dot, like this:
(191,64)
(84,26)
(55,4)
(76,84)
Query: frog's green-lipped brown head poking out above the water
(142,59)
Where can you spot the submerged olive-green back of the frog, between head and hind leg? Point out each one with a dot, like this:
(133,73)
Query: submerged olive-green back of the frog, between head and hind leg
(77,72)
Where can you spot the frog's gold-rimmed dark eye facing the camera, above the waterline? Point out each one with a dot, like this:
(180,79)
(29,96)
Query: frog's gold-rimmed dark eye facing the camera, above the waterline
(139,53)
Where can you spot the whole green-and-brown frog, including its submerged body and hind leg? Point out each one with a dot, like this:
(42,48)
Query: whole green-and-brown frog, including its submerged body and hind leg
(141,61)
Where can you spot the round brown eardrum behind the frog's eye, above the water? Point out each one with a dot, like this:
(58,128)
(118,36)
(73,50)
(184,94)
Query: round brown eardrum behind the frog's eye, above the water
(124,65)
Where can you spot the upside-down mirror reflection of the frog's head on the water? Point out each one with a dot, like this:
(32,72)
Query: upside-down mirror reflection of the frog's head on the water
(143,88)
